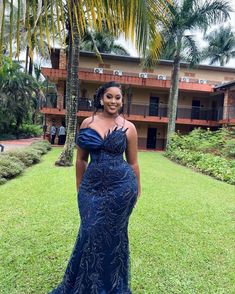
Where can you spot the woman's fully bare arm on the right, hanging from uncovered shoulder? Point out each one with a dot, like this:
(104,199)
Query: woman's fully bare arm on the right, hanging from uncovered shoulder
(131,152)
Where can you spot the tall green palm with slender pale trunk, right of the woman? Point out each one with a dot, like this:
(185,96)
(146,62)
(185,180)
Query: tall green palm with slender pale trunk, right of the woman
(188,15)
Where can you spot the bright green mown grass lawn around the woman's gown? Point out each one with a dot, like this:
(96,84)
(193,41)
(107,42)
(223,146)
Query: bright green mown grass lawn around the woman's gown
(181,233)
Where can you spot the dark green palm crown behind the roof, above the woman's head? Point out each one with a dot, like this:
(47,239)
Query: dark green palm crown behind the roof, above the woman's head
(104,43)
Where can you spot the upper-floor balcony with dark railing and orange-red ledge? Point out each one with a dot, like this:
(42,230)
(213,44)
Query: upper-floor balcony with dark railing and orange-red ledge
(155,112)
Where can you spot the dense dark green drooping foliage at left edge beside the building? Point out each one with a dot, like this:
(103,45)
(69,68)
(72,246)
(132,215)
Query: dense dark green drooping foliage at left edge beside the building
(19,96)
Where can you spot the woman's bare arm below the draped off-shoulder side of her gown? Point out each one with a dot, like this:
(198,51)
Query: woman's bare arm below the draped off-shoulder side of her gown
(81,164)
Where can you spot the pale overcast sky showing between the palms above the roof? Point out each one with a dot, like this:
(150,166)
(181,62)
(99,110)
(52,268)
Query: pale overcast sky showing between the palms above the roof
(198,36)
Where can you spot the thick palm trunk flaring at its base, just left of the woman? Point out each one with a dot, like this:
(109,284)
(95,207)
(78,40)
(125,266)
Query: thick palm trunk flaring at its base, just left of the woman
(72,90)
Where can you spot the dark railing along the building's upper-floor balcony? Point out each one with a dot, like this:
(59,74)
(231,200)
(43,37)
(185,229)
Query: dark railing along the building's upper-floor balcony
(158,110)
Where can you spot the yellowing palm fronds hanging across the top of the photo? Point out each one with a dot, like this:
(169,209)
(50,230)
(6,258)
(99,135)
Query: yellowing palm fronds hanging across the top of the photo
(138,20)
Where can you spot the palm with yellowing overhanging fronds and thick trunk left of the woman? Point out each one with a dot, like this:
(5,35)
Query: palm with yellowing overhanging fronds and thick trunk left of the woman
(137,19)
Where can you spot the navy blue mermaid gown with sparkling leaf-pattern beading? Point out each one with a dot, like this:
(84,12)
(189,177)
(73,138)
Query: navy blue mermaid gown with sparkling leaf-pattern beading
(100,262)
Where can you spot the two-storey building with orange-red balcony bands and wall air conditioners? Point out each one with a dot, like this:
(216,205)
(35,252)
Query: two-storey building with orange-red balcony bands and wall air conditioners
(206,94)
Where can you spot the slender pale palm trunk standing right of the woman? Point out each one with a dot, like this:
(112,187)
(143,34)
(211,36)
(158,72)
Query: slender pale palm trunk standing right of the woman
(173,99)
